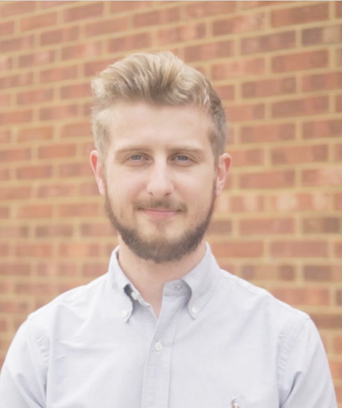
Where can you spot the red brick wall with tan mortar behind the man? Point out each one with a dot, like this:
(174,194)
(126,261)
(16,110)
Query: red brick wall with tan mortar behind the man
(277,67)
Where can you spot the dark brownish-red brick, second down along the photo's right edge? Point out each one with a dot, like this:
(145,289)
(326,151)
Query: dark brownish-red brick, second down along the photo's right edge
(322,35)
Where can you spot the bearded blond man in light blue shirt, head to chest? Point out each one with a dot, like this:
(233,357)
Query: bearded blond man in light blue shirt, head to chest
(165,327)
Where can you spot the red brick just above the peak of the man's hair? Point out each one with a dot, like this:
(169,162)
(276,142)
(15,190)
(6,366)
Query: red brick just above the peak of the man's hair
(181,33)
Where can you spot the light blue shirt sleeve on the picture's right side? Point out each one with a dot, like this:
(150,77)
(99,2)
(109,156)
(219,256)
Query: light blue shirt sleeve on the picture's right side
(306,381)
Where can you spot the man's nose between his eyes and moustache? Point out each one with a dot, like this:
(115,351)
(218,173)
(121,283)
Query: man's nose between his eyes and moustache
(160,182)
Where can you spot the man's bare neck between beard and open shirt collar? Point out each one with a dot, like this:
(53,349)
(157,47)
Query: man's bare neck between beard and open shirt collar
(149,278)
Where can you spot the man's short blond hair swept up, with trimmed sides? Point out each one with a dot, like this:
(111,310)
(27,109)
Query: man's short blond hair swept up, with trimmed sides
(157,79)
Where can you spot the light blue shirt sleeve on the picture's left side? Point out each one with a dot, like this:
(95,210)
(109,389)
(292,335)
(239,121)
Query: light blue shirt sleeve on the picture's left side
(23,375)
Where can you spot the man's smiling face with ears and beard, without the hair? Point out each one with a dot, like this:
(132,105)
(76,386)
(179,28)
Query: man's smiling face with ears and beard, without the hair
(159,179)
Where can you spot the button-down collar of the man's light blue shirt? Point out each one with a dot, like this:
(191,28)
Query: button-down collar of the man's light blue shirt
(201,281)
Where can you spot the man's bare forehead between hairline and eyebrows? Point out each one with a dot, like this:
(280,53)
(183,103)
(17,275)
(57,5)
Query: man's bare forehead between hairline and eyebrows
(141,123)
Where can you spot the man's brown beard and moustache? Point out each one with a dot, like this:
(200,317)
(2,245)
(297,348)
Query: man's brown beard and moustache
(161,249)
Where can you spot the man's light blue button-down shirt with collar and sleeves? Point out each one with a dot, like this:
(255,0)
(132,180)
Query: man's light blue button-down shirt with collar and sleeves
(218,341)
